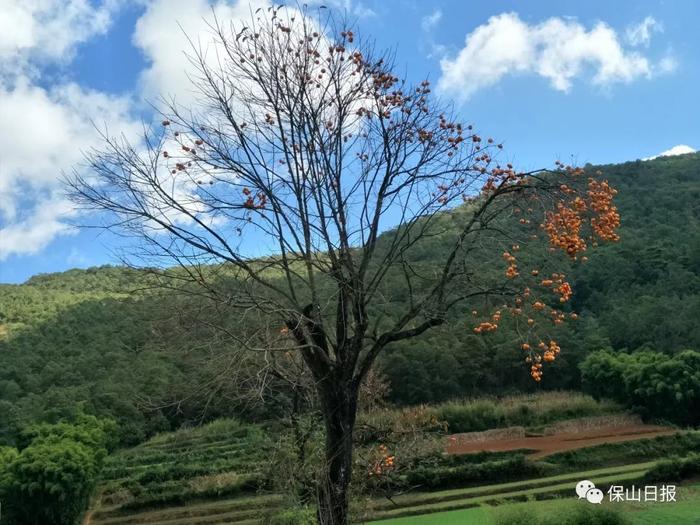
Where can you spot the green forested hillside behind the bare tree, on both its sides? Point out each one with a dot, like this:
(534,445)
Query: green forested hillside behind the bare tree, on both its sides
(99,341)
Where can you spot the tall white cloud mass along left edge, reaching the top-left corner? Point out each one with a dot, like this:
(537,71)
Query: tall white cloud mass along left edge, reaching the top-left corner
(43,130)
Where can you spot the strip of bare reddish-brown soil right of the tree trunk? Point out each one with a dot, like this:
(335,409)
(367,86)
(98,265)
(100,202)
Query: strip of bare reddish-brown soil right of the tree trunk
(546,445)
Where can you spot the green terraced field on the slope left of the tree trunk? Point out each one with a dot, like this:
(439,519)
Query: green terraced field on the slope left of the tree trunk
(211,475)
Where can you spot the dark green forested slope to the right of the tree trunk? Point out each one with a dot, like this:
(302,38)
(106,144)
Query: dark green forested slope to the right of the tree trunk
(643,292)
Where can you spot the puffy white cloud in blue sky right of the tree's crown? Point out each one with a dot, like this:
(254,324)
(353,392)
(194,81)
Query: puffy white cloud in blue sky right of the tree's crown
(557,49)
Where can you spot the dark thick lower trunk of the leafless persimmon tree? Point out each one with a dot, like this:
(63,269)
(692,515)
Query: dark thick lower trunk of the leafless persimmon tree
(340,408)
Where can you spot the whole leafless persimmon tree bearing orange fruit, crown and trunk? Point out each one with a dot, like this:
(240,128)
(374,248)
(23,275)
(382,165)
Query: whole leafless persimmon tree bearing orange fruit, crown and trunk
(302,148)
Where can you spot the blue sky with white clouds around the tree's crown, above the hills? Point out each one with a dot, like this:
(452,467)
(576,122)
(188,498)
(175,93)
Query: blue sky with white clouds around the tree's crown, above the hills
(595,81)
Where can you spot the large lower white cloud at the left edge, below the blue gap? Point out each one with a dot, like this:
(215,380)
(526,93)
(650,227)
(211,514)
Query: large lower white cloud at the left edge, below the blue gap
(43,134)
